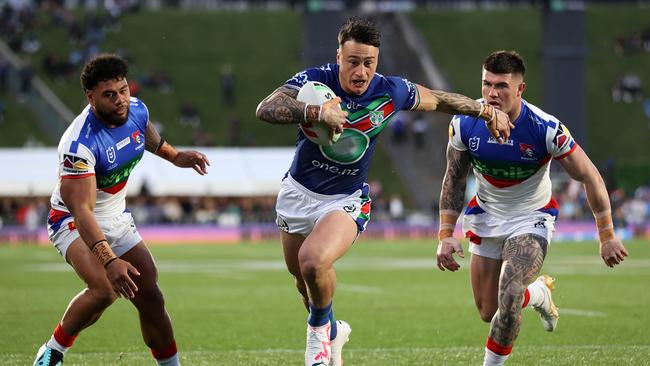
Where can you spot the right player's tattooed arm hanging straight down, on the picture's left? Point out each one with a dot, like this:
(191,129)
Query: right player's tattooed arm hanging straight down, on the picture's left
(452,196)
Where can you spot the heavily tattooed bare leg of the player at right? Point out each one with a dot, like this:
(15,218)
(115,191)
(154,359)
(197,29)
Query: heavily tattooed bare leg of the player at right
(523,257)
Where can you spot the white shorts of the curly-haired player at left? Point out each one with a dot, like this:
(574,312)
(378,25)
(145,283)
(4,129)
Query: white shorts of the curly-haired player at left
(120,232)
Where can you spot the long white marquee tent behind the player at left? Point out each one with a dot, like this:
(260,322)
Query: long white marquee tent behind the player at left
(233,172)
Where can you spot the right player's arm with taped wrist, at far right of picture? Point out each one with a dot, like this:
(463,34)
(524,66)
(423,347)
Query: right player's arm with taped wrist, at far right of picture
(579,167)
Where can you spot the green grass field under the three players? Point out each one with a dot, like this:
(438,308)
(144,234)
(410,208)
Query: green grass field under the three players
(236,305)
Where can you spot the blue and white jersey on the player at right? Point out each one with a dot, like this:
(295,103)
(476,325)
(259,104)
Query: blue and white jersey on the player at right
(513,178)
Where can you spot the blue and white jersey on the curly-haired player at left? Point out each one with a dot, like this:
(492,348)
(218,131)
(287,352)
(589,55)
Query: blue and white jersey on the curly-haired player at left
(88,148)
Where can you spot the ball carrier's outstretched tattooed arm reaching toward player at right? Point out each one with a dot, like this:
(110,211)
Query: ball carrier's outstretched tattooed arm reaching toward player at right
(497,121)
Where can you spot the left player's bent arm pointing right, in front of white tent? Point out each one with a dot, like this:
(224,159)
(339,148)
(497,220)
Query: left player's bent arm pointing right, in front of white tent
(155,144)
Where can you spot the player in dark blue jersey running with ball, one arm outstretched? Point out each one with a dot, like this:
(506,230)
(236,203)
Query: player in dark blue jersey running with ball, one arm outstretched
(324,203)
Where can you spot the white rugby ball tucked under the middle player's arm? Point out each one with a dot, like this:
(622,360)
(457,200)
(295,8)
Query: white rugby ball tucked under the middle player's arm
(317,93)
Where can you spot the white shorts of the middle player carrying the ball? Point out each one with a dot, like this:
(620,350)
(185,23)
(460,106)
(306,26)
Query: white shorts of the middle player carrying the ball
(298,208)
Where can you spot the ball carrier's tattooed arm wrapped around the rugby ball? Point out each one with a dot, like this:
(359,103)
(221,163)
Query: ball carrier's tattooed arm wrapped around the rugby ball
(282,107)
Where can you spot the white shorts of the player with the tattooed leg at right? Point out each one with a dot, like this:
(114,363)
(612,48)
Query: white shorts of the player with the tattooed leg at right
(487,233)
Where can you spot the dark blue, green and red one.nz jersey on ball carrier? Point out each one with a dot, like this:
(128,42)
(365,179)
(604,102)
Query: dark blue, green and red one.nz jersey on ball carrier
(343,167)
